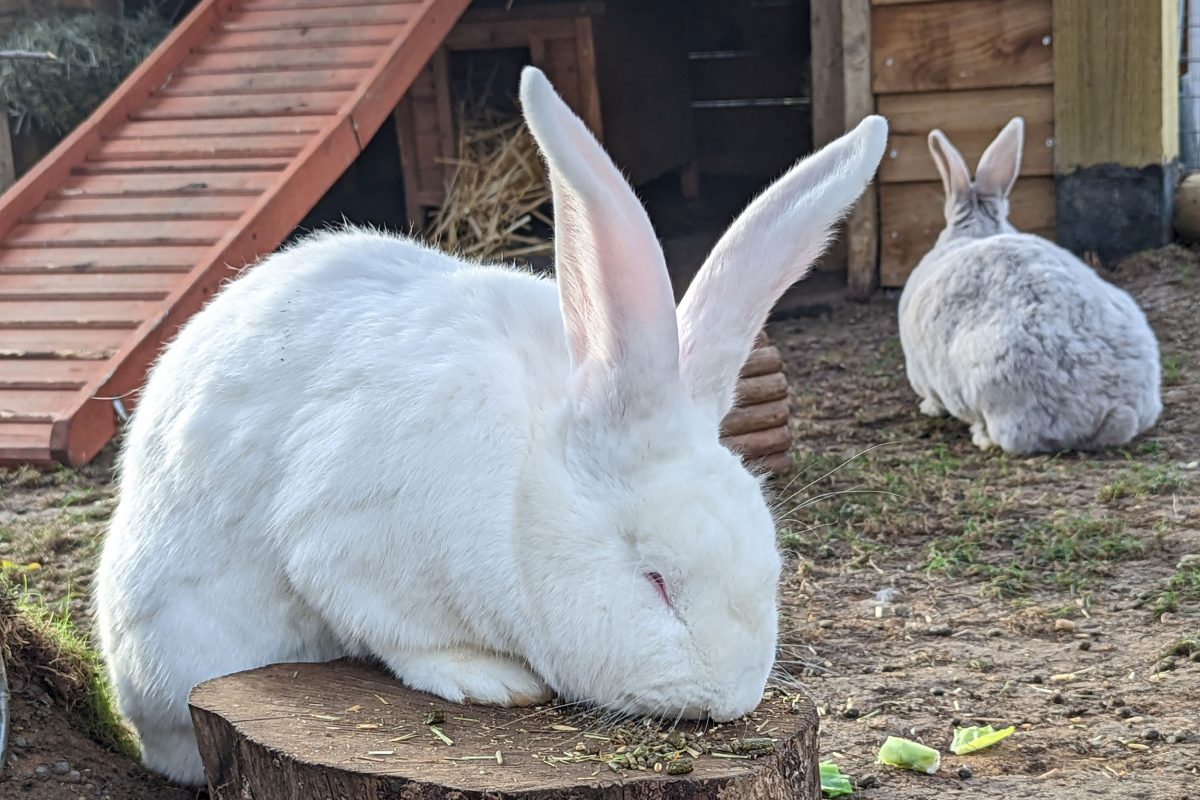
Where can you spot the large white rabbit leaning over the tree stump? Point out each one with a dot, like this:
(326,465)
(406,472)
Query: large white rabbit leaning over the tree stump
(497,486)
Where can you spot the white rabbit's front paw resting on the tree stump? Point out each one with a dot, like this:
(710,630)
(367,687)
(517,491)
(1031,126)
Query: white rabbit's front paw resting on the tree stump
(463,675)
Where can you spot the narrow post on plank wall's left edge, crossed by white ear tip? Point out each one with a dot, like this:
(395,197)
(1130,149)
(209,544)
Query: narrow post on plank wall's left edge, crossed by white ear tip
(862,230)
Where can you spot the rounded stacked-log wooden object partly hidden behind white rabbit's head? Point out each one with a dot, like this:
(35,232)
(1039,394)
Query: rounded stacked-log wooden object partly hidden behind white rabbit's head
(758,426)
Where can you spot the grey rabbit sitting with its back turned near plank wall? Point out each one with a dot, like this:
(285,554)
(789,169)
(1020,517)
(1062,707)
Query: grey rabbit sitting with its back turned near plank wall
(1015,335)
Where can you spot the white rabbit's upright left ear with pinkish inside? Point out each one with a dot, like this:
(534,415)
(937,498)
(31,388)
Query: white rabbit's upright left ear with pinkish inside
(613,280)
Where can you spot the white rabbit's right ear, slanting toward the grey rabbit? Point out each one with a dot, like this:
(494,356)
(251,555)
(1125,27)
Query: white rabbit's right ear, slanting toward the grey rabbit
(766,250)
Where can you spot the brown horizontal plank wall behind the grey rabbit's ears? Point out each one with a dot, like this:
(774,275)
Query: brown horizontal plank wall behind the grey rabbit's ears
(967,68)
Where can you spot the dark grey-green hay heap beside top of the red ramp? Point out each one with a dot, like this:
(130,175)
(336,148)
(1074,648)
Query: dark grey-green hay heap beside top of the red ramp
(93,53)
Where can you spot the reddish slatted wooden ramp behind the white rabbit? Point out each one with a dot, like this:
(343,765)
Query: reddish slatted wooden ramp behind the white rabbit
(207,158)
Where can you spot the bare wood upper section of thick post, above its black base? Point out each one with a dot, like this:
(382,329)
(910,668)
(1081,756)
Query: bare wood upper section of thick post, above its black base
(1117,73)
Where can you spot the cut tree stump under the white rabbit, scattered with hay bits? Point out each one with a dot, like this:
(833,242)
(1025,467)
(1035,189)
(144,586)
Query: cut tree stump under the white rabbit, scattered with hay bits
(344,731)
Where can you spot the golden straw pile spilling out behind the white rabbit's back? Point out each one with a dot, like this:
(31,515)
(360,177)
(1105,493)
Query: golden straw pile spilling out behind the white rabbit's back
(497,202)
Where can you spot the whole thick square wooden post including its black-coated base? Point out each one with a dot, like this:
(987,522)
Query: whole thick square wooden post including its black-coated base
(1117,124)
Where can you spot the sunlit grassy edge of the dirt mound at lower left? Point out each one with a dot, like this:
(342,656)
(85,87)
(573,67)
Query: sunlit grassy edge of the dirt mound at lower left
(58,646)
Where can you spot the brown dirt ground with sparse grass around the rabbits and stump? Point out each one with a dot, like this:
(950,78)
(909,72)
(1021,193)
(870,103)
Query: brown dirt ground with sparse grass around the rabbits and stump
(928,585)
